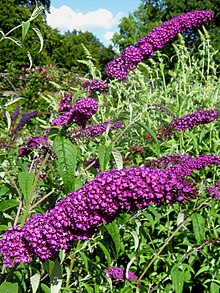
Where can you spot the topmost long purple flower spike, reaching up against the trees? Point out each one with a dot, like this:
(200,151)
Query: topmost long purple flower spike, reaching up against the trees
(155,40)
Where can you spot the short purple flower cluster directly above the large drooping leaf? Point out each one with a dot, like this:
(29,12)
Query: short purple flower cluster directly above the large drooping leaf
(82,110)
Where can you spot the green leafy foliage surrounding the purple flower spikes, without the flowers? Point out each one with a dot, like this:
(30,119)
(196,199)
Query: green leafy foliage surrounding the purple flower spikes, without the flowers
(171,248)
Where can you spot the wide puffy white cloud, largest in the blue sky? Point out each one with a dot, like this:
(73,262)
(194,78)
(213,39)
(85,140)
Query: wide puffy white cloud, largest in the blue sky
(64,18)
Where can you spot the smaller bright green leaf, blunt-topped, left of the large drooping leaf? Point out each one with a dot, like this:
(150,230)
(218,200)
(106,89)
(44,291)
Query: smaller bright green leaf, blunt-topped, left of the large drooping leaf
(25,180)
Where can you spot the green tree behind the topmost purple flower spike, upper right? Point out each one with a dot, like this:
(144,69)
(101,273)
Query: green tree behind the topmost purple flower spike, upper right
(151,13)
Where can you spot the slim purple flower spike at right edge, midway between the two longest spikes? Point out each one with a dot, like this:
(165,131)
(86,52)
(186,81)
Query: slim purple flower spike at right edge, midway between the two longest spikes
(188,121)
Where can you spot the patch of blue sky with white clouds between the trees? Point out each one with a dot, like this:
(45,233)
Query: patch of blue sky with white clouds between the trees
(101,17)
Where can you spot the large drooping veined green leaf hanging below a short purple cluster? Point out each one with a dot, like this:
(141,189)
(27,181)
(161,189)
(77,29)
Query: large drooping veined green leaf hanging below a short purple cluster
(66,152)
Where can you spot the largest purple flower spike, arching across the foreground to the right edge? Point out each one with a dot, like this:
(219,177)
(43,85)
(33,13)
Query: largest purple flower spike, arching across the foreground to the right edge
(100,201)
